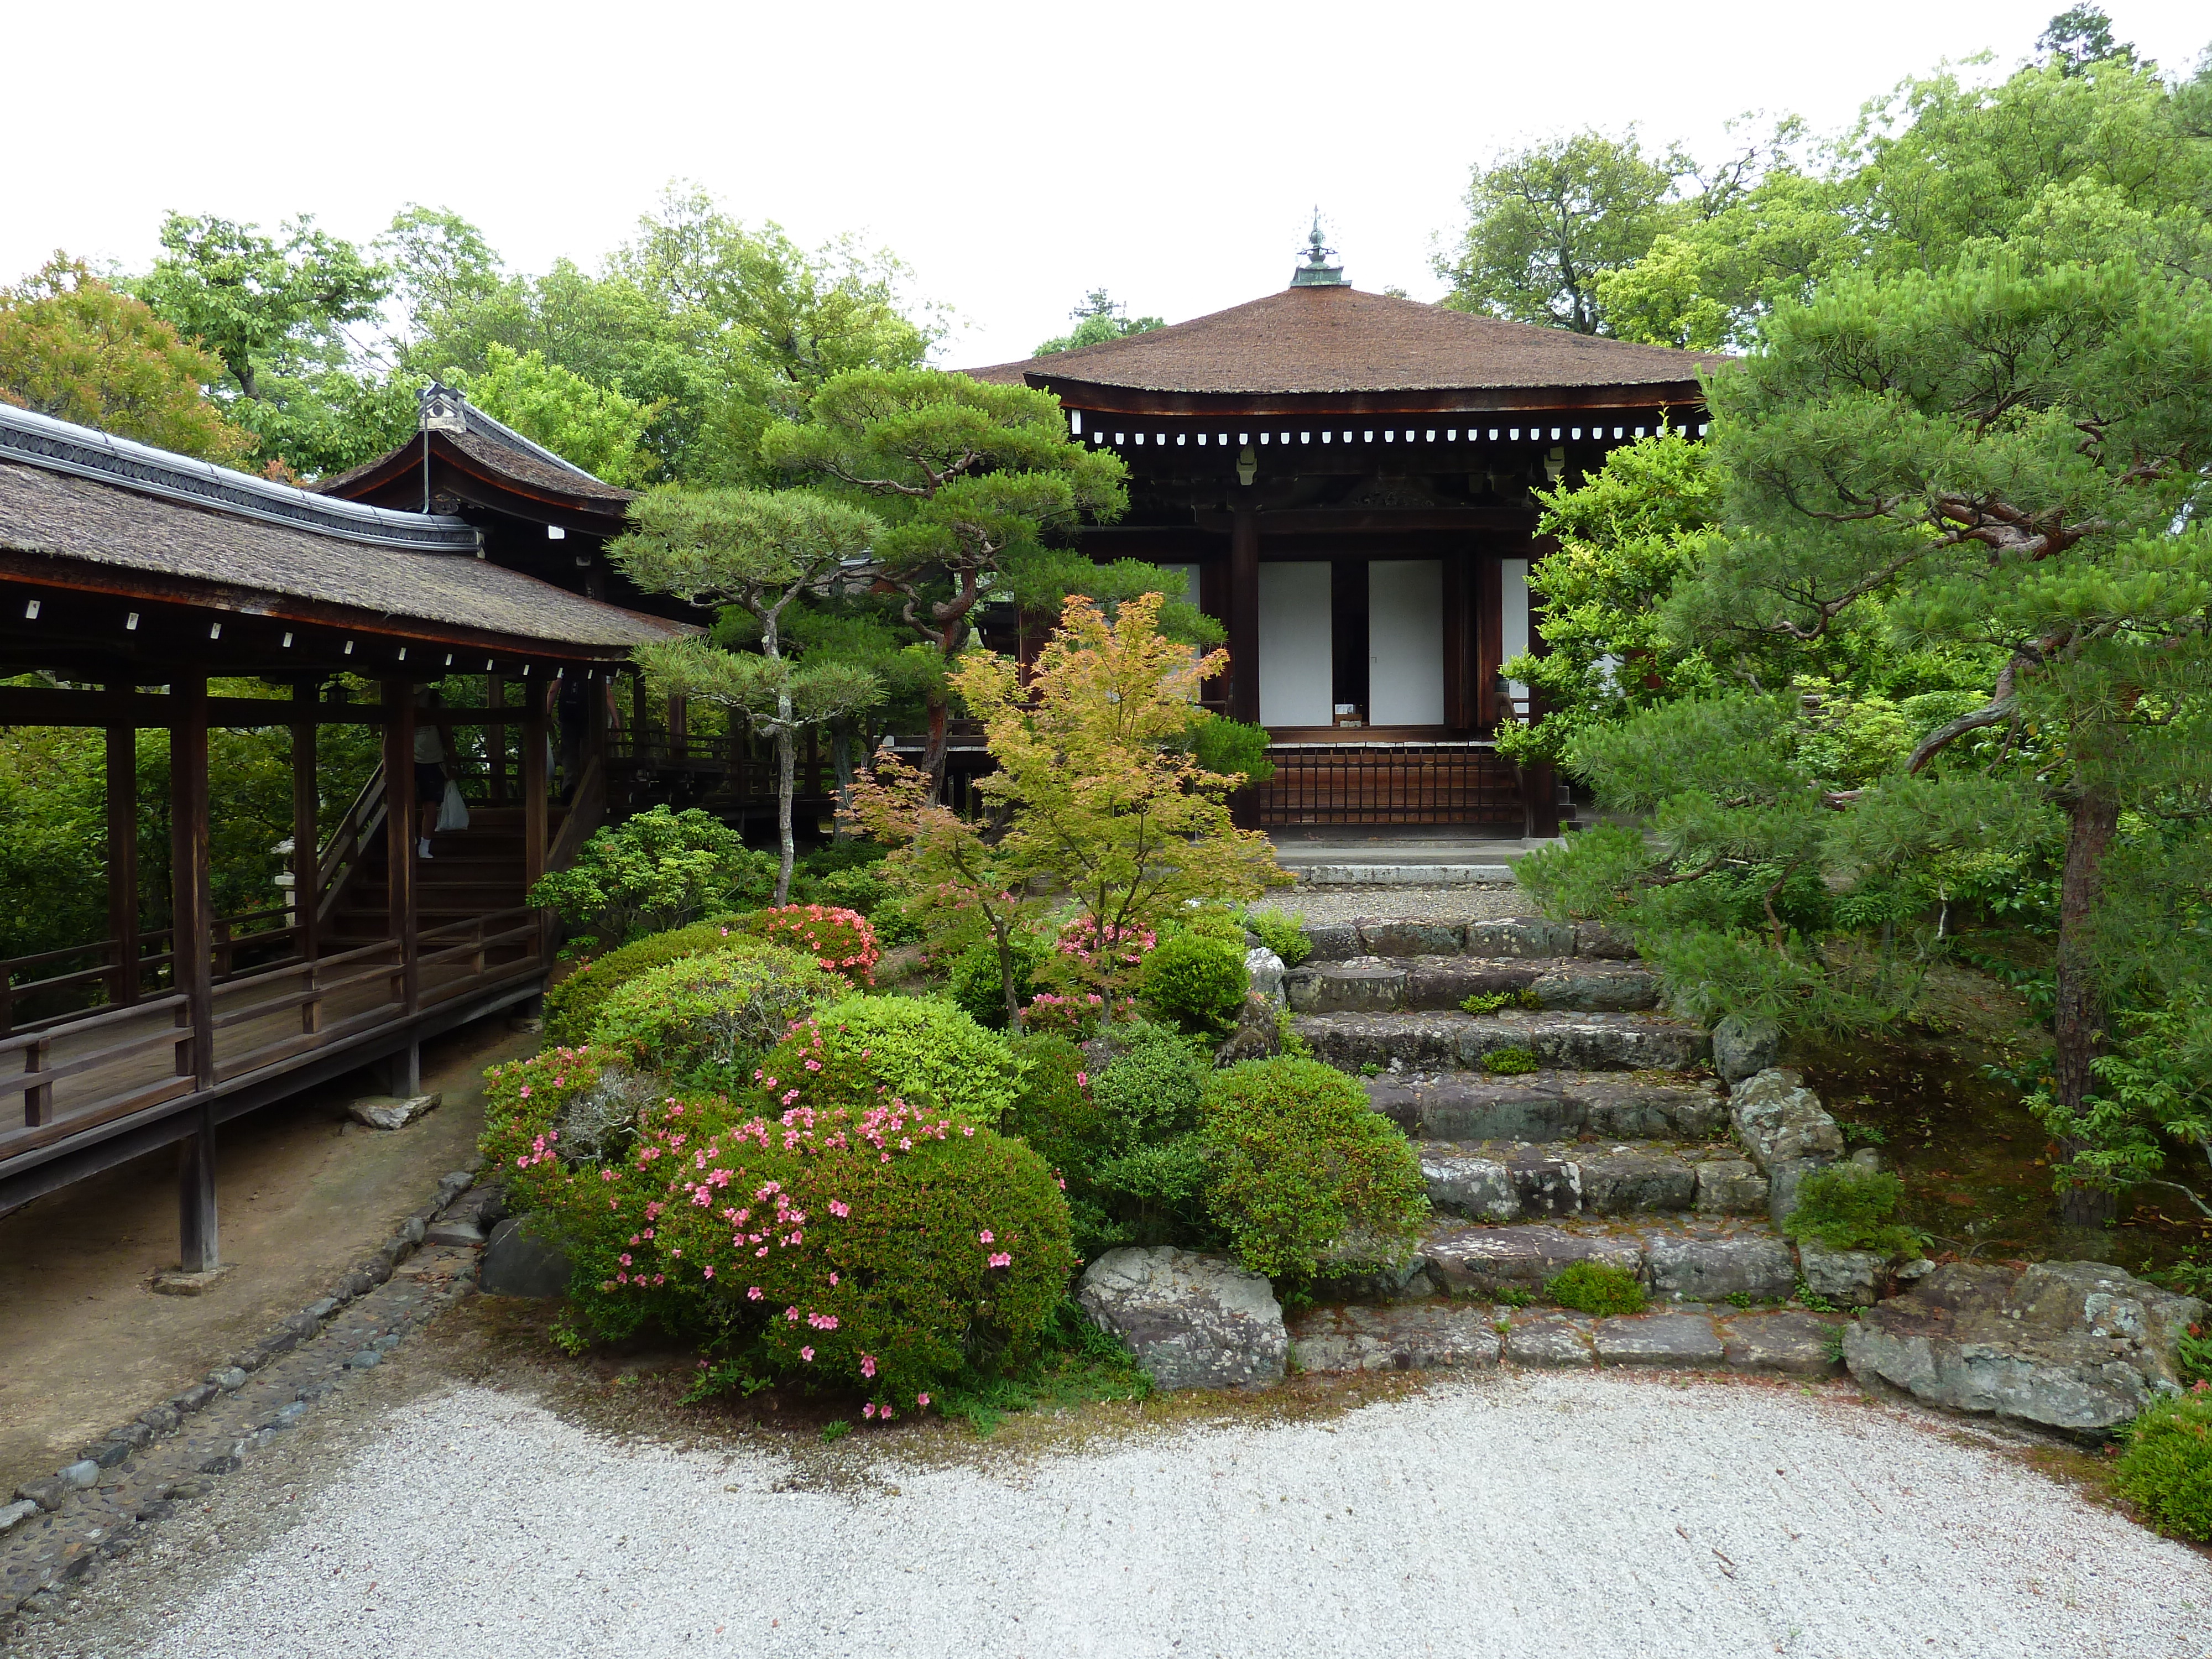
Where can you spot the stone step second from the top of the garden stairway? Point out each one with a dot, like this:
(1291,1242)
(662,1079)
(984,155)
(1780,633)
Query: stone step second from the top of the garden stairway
(1437,983)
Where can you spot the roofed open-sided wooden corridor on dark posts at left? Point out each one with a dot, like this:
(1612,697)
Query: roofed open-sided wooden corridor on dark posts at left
(129,578)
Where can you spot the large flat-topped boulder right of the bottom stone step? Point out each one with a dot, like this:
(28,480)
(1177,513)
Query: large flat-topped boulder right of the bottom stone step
(2074,1346)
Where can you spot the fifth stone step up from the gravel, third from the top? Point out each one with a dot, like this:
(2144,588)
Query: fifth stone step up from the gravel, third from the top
(1454,1041)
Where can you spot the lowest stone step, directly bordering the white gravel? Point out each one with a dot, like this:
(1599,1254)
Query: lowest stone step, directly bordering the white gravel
(1434,1337)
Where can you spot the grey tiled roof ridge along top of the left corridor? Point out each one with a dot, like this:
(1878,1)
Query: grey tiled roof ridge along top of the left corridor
(87,452)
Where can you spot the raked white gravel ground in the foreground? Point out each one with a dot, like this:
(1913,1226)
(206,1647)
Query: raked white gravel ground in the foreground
(1530,1514)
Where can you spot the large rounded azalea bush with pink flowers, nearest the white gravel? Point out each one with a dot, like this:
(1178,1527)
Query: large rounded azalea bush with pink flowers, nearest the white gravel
(857,1246)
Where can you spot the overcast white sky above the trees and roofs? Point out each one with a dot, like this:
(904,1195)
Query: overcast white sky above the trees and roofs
(1014,154)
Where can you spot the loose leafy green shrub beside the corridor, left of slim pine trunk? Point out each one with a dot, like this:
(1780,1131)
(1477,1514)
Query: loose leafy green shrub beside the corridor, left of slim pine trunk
(654,873)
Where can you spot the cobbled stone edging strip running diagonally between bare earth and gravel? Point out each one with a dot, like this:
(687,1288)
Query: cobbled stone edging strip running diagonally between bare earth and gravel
(61,1530)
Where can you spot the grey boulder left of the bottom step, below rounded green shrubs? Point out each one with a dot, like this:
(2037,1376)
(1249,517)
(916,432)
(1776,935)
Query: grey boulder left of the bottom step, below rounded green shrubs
(1193,1322)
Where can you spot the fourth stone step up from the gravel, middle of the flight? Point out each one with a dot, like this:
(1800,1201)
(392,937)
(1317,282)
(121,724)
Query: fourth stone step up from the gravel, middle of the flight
(1552,1107)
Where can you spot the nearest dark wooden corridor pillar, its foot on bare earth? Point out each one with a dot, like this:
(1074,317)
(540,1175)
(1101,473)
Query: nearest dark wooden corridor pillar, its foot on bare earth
(191,948)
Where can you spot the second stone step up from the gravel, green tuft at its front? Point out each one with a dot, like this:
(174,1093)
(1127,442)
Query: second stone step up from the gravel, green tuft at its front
(1689,1264)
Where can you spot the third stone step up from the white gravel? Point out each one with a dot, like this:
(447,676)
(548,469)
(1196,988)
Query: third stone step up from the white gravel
(1525,1182)
